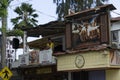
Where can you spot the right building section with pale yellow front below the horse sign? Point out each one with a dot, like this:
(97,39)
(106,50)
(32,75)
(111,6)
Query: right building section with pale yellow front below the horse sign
(89,54)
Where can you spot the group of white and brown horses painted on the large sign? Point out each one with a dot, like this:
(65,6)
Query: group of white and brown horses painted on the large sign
(87,31)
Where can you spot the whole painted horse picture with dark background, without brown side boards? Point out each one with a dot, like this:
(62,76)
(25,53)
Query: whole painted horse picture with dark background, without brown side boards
(86,32)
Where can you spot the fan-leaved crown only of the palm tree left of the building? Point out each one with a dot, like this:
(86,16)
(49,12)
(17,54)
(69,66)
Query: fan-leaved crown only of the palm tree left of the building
(26,17)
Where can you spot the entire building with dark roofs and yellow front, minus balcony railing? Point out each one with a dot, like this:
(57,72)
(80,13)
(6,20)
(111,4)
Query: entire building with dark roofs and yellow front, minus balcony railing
(84,49)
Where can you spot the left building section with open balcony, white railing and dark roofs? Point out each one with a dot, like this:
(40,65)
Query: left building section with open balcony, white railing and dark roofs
(39,64)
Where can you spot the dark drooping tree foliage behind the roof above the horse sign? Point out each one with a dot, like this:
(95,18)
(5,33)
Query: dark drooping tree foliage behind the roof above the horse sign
(76,5)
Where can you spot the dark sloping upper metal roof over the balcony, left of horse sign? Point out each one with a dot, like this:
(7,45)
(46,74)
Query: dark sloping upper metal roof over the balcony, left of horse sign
(51,28)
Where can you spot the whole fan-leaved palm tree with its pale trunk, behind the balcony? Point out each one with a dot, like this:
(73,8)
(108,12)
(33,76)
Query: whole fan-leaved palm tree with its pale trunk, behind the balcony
(26,19)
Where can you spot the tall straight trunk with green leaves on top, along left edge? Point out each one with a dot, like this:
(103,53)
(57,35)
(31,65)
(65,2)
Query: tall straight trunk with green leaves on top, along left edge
(3,16)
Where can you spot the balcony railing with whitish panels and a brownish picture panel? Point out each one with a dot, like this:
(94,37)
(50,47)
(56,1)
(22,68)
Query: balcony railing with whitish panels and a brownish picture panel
(36,57)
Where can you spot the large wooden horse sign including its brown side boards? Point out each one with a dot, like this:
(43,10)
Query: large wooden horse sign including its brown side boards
(88,31)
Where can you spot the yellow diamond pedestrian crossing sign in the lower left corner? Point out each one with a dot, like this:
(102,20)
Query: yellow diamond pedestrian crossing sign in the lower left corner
(5,73)
